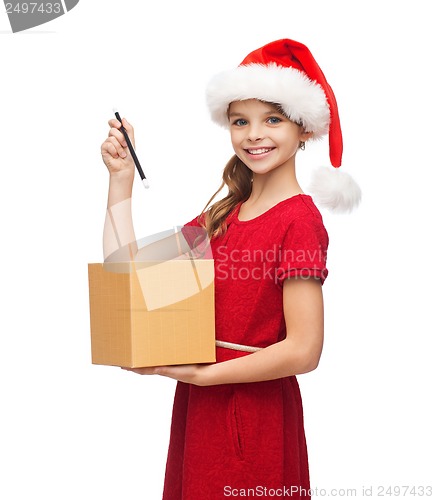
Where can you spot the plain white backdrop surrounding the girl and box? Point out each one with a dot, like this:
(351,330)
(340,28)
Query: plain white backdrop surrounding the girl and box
(73,430)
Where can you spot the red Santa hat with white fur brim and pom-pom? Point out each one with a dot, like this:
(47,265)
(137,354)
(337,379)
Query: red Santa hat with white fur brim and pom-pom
(285,72)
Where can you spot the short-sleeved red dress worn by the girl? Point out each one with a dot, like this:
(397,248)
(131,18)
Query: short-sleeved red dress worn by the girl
(247,439)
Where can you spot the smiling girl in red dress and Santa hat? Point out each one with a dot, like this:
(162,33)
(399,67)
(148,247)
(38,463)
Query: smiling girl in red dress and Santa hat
(237,425)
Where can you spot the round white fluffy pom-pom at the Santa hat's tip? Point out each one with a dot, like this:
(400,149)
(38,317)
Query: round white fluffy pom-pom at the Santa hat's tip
(335,190)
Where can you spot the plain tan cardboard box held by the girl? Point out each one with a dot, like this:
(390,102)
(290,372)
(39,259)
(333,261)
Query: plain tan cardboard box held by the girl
(152,313)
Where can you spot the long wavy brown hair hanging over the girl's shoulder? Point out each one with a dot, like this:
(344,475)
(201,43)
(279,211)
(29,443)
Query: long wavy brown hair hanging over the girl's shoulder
(238,178)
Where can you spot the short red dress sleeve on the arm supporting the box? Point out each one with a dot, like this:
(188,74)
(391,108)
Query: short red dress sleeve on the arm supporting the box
(303,253)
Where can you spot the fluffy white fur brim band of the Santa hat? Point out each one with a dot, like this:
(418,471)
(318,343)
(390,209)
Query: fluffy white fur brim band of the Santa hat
(302,100)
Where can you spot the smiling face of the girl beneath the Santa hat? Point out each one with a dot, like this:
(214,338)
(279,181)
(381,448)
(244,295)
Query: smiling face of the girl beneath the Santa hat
(263,138)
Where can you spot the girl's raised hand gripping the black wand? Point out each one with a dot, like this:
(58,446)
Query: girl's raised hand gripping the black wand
(114,149)
